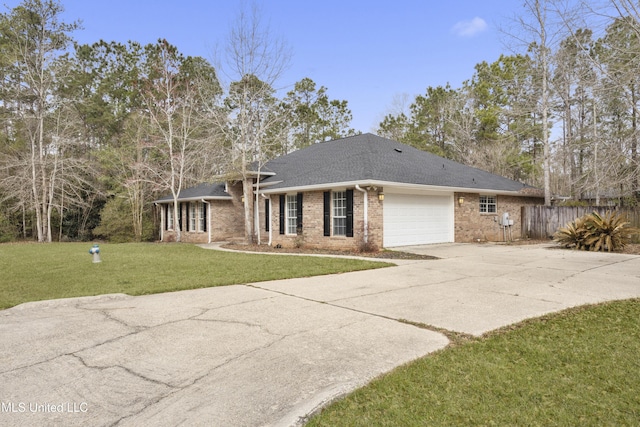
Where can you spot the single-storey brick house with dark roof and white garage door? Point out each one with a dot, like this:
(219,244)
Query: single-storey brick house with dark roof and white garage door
(363,189)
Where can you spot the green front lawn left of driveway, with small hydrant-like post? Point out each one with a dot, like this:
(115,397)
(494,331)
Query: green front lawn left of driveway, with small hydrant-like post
(32,272)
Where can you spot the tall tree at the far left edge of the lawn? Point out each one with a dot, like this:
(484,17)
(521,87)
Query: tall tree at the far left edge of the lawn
(34,40)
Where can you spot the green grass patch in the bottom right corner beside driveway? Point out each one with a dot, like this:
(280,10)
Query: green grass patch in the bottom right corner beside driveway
(577,367)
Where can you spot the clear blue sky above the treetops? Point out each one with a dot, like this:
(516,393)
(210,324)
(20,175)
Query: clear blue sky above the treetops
(365,52)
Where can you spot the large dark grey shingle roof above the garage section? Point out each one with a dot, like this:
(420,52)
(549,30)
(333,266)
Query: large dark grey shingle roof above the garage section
(369,157)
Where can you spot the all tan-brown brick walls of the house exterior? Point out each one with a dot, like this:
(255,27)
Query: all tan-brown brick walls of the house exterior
(226,221)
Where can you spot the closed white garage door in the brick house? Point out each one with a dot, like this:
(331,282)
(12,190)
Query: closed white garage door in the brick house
(416,220)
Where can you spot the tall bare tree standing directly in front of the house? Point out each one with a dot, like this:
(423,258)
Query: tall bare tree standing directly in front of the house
(254,61)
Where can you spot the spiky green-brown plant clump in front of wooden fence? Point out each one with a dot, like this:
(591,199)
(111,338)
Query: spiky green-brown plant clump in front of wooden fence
(594,232)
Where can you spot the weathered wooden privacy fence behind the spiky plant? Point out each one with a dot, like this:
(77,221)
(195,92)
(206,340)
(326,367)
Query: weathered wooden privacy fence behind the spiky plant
(541,222)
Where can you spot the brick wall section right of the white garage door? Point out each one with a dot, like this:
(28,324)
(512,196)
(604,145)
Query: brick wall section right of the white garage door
(473,226)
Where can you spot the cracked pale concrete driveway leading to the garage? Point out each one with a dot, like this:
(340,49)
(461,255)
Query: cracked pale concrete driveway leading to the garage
(271,353)
